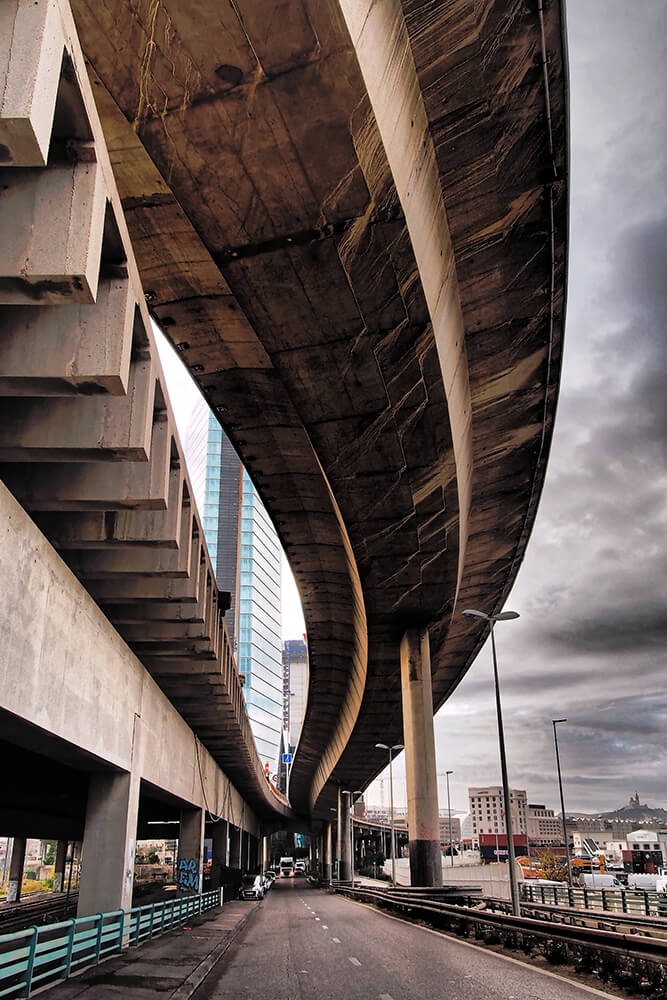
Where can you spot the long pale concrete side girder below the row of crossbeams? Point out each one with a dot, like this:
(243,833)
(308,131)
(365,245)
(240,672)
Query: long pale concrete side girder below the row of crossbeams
(65,670)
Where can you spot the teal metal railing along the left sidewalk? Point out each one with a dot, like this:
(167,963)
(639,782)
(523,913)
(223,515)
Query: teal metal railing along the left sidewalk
(41,956)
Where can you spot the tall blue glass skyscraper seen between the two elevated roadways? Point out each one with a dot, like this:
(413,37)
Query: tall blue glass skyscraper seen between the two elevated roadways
(246,554)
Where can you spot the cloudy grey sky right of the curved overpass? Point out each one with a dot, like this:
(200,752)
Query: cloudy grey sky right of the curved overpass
(592,638)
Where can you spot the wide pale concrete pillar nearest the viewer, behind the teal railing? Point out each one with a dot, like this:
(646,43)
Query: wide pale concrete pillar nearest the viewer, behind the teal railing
(109,844)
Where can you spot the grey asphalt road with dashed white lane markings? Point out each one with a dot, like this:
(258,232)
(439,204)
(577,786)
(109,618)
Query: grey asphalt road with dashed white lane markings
(305,944)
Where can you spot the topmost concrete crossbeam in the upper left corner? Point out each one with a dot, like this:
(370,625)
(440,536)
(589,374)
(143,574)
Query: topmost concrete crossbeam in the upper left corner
(31,53)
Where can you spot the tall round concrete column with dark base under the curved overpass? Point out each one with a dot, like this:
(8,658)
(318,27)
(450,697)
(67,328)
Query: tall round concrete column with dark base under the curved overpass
(420,768)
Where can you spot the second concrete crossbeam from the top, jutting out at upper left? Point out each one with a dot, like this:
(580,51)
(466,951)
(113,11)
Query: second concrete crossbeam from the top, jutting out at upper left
(56,218)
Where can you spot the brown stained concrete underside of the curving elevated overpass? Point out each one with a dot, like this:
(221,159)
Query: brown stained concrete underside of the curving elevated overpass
(351,220)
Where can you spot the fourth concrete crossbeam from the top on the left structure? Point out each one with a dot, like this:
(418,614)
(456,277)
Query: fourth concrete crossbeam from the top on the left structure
(82,429)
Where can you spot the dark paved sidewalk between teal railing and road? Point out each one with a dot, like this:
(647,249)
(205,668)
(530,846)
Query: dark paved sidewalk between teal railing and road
(169,968)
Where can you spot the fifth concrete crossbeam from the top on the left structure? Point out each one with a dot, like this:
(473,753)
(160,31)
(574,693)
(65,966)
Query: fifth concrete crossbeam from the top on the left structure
(98,485)
